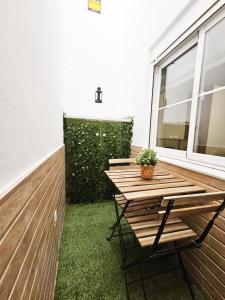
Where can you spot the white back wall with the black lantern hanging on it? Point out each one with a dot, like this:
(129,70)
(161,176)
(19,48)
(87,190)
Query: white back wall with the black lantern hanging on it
(112,50)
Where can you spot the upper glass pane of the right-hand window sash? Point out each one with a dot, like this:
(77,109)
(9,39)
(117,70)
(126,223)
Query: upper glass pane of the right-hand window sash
(213,71)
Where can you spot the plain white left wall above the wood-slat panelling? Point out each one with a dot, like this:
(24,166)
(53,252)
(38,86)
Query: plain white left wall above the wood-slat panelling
(30,92)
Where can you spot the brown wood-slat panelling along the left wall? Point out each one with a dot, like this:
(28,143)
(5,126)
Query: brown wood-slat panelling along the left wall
(29,234)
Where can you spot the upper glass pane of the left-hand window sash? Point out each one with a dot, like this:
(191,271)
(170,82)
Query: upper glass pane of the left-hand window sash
(177,79)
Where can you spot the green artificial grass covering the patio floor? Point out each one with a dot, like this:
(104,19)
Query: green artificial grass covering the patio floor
(89,266)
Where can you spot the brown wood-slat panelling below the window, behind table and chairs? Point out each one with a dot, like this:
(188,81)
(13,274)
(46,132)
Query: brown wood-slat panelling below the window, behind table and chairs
(207,265)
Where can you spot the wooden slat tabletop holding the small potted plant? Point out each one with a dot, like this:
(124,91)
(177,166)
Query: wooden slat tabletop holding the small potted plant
(163,183)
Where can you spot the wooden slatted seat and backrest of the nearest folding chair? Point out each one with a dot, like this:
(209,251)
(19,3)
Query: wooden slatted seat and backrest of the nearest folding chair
(169,218)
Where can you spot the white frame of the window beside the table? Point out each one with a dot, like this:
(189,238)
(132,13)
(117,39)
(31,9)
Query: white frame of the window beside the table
(205,160)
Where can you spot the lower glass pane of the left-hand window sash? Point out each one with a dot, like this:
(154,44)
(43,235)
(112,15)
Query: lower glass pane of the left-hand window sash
(173,126)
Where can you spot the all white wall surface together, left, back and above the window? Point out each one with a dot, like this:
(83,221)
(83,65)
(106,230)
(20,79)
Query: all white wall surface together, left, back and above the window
(110,50)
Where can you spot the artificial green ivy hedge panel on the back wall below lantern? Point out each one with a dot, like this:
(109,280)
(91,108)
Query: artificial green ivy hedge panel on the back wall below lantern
(89,146)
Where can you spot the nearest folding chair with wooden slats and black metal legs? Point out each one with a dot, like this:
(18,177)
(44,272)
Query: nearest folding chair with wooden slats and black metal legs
(169,228)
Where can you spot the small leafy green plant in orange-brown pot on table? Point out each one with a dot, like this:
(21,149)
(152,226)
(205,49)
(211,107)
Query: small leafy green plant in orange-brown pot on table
(147,160)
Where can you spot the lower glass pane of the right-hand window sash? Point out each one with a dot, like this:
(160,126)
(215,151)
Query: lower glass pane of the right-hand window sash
(210,129)
